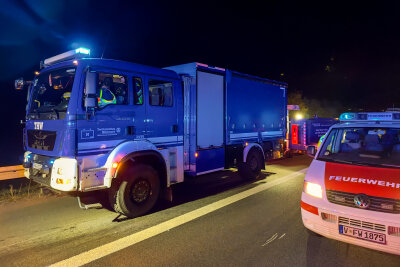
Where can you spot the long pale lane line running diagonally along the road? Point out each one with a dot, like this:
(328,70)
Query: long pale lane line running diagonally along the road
(117,245)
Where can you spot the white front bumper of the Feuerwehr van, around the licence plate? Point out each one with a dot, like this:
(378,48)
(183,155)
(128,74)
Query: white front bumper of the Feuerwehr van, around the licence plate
(330,229)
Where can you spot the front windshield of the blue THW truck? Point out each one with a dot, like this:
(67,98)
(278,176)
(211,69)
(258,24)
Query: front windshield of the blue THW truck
(51,93)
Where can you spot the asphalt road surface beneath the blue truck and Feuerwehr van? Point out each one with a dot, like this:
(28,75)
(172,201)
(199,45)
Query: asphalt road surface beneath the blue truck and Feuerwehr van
(215,219)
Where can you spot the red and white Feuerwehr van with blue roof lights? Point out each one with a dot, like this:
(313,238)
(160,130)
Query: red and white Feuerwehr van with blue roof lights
(352,187)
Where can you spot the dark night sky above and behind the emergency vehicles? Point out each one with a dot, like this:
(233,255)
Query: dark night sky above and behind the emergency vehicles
(345,53)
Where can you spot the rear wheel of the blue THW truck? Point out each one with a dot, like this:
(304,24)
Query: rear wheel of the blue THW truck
(251,169)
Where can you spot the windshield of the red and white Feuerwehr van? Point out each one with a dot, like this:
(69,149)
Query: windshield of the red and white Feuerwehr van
(363,145)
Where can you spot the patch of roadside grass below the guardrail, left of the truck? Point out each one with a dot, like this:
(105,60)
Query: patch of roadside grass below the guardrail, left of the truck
(18,189)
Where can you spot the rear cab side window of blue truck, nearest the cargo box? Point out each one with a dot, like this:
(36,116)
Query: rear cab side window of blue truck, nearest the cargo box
(160,93)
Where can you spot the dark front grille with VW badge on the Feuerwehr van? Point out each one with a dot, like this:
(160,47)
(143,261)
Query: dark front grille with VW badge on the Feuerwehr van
(380,204)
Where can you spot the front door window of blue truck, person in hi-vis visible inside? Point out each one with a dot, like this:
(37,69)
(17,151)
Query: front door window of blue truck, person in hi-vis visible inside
(112,89)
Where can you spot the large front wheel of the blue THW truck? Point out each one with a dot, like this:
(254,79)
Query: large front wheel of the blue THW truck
(136,191)
